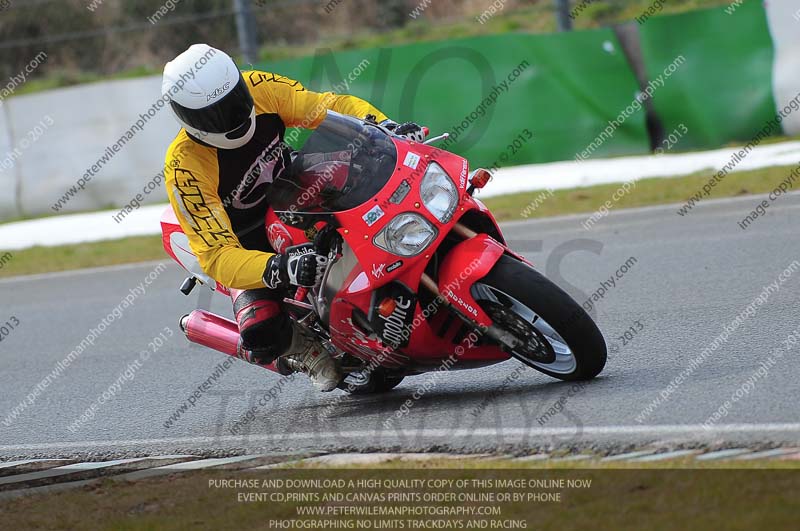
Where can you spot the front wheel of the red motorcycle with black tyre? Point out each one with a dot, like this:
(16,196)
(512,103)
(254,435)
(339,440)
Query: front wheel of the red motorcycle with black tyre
(553,333)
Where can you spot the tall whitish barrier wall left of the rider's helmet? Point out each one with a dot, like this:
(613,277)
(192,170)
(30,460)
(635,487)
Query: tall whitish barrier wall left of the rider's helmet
(64,132)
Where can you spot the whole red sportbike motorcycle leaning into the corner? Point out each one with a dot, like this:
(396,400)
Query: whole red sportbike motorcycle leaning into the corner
(419,277)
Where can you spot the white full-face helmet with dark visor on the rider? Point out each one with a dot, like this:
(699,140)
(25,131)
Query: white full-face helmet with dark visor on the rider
(209,97)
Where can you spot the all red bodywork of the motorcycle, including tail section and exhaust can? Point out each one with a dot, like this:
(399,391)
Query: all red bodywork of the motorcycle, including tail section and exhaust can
(379,289)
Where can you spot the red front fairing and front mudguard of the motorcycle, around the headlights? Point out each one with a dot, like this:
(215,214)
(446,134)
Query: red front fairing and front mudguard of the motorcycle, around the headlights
(374,269)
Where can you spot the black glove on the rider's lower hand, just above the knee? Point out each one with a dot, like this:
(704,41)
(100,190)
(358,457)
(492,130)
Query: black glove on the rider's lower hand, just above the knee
(300,265)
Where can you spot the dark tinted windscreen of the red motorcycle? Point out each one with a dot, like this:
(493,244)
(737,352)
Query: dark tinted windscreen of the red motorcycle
(343,164)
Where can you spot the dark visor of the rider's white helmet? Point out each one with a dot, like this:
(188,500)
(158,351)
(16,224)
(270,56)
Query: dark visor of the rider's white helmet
(222,116)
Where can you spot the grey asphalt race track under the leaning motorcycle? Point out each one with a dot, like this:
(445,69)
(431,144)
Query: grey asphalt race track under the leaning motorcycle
(691,276)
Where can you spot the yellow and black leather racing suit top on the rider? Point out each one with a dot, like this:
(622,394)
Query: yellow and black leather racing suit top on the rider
(220,196)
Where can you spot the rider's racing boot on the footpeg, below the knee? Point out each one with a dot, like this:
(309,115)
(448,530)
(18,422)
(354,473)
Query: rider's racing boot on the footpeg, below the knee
(308,354)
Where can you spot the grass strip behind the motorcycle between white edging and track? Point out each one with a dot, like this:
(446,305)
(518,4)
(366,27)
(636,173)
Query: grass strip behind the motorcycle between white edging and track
(506,208)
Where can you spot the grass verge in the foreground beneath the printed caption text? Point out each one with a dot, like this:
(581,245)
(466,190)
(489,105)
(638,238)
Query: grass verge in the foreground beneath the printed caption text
(655,497)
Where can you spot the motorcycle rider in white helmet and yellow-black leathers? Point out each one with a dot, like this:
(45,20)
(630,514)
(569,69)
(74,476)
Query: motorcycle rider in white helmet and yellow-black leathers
(218,173)
